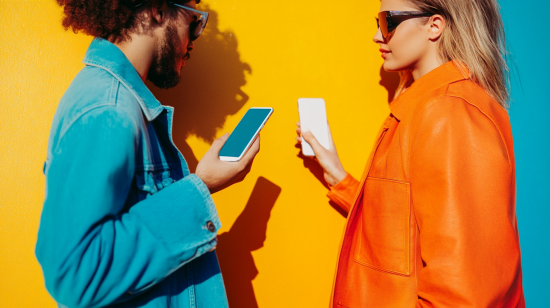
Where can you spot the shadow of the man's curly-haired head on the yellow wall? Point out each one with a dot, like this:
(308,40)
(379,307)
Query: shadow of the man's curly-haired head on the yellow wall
(209,89)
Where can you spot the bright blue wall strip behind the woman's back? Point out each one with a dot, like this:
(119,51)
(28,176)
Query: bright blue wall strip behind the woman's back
(527,30)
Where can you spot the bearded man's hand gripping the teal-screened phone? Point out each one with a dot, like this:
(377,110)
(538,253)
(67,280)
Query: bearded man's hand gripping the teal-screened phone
(218,174)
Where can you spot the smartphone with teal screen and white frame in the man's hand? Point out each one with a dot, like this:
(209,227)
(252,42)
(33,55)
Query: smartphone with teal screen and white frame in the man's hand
(244,134)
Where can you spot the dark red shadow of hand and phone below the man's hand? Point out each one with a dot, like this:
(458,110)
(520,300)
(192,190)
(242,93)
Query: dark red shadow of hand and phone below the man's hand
(247,234)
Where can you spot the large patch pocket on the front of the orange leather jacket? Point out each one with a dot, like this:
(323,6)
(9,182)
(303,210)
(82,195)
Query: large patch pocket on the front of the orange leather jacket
(383,242)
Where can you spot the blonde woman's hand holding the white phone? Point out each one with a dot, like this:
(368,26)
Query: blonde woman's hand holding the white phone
(328,159)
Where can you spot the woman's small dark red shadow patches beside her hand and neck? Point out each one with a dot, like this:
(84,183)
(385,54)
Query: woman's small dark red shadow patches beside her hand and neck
(390,81)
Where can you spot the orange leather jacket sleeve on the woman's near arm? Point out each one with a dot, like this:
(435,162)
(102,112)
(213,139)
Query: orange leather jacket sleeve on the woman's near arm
(463,191)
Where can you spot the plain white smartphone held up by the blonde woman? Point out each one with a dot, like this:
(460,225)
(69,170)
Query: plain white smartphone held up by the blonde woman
(313,116)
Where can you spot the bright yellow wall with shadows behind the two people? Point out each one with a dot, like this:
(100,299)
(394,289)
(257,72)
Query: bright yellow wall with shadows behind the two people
(254,53)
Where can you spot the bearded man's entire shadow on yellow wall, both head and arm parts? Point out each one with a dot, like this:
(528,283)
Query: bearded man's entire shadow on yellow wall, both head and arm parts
(208,92)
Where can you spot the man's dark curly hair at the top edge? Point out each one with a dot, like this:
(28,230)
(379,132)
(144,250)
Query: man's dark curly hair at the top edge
(108,19)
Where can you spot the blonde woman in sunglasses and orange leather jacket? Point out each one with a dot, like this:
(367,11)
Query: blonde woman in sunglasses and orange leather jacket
(432,222)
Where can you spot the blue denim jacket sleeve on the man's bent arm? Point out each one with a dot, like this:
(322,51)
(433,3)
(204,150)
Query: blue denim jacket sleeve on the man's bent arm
(93,253)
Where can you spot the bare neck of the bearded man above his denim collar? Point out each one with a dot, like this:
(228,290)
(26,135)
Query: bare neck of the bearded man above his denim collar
(140,50)
